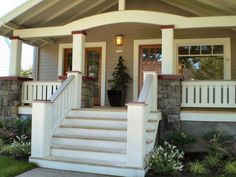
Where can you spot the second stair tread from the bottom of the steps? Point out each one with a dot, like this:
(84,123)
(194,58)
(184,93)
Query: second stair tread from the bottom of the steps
(87,148)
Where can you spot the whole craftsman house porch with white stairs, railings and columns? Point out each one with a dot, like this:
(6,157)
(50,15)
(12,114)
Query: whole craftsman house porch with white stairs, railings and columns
(182,68)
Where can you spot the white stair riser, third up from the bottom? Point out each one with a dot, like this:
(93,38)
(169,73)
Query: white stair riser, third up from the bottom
(89,143)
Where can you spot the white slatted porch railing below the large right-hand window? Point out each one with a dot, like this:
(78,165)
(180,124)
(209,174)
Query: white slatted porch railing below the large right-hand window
(218,94)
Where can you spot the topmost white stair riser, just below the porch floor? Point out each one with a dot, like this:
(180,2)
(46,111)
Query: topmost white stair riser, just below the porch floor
(98,114)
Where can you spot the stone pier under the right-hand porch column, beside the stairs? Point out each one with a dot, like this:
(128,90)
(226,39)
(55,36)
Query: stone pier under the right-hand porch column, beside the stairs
(169,102)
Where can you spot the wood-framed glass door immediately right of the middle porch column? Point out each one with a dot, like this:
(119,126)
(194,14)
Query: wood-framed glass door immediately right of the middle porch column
(93,69)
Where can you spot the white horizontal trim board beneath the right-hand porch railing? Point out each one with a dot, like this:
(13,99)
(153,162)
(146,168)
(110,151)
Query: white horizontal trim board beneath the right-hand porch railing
(208,116)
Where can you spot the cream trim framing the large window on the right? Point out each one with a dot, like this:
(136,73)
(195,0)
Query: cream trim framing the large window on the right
(212,41)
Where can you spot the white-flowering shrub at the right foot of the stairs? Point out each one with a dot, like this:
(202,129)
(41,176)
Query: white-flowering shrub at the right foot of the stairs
(165,159)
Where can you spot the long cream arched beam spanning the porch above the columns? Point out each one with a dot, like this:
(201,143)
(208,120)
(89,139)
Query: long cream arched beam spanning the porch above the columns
(128,16)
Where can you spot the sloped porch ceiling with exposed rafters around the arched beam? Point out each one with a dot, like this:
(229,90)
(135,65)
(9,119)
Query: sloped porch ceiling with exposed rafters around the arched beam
(44,13)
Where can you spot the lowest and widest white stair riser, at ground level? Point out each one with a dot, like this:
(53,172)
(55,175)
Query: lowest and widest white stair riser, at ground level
(89,168)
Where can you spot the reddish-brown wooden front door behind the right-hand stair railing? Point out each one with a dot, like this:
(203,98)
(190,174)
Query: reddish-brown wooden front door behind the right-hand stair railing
(149,60)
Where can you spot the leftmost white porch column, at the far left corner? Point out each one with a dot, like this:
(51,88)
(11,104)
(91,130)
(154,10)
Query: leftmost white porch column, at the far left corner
(15,56)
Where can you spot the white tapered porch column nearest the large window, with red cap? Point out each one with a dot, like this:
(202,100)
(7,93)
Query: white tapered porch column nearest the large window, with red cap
(168,61)
